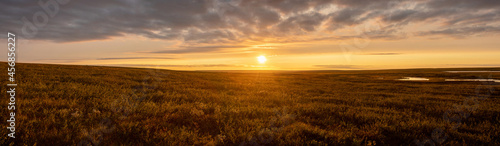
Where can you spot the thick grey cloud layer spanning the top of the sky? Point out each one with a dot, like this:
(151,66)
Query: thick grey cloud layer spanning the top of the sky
(231,21)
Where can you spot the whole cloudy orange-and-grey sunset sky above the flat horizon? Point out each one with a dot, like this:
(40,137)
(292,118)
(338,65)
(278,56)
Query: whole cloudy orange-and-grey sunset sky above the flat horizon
(233,34)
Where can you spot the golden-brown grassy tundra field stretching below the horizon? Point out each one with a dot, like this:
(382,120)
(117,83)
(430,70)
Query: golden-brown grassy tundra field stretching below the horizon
(68,105)
